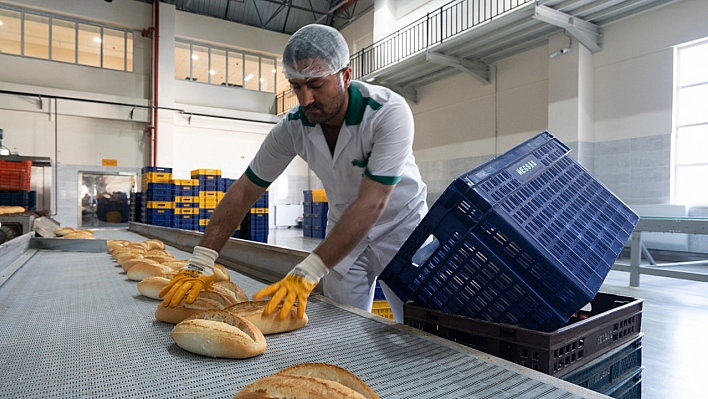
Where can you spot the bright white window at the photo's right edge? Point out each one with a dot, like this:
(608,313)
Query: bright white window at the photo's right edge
(691,134)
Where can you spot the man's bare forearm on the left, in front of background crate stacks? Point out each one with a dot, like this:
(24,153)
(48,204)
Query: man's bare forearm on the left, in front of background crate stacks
(230,212)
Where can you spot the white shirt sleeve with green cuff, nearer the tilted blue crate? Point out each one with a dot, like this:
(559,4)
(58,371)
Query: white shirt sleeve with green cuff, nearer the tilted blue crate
(393,143)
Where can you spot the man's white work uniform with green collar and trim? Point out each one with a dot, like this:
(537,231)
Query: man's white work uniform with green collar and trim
(375,140)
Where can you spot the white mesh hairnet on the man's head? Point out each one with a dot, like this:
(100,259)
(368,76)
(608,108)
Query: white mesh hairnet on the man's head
(314,51)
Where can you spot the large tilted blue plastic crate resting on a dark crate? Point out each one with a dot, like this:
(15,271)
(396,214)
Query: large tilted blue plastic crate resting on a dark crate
(526,238)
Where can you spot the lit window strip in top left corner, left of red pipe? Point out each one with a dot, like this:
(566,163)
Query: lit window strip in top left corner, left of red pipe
(53,38)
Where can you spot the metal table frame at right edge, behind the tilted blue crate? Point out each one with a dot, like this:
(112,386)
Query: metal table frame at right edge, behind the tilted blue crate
(662,225)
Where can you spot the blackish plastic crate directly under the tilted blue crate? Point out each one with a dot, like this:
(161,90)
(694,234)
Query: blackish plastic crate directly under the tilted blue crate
(612,321)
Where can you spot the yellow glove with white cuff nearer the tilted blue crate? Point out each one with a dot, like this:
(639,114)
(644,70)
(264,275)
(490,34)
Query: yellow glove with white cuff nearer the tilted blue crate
(297,285)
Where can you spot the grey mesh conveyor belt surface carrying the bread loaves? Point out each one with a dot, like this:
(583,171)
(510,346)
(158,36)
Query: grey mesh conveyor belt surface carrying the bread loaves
(73,326)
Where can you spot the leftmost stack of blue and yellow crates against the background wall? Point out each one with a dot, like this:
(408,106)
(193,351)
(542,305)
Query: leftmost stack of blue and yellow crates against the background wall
(158,201)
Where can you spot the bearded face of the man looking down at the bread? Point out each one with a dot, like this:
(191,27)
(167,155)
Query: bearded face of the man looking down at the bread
(322,98)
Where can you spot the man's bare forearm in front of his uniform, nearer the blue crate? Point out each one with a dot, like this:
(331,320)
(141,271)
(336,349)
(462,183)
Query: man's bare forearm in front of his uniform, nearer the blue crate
(356,222)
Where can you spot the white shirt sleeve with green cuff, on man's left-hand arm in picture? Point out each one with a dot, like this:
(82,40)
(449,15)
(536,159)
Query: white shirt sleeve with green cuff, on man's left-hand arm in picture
(274,155)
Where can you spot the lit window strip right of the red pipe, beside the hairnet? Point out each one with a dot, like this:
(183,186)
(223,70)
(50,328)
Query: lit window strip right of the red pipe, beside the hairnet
(222,67)
